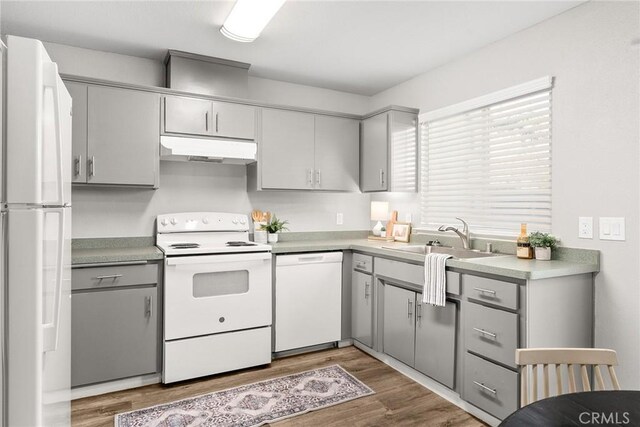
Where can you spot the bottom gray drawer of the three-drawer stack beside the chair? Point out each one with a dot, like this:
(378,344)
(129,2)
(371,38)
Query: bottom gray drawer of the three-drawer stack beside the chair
(490,387)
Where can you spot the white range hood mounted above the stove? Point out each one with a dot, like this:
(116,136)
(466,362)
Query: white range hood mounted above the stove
(212,150)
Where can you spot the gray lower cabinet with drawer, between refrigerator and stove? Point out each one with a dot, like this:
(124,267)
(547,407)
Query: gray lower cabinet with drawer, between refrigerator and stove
(114,327)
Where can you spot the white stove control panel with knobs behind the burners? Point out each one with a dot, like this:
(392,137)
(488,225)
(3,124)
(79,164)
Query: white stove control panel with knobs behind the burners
(202,221)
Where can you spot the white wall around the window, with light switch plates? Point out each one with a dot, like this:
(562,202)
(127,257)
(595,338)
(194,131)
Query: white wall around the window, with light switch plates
(595,151)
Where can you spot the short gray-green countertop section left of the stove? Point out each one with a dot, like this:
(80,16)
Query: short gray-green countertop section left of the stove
(114,250)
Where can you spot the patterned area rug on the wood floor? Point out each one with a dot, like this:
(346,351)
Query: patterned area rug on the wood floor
(254,404)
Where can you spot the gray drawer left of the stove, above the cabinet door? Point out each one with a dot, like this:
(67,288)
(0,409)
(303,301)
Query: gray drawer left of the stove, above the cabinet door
(113,276)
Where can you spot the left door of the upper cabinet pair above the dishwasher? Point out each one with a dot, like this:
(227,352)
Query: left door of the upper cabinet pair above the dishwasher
(286,150)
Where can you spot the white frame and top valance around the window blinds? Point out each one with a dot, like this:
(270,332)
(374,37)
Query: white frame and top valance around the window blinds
(528,88)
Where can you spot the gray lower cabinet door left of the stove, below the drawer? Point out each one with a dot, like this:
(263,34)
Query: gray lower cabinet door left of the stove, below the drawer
(114,334)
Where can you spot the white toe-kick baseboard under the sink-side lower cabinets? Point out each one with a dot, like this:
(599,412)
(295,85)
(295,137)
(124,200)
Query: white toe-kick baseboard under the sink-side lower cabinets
(432,385)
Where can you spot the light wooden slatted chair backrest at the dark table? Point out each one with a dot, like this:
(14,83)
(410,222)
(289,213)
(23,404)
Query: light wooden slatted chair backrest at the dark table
(553,359)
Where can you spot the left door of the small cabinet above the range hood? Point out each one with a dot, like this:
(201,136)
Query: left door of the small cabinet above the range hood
(188,115)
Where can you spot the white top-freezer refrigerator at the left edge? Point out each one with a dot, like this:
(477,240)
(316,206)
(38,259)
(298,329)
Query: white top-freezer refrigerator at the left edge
(36,238)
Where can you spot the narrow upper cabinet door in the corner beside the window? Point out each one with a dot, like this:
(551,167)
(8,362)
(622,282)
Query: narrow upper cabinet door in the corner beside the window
(374,154)
